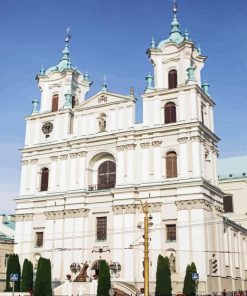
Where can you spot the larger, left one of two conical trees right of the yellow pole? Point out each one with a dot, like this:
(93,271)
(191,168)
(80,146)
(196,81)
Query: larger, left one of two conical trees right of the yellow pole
(163,277)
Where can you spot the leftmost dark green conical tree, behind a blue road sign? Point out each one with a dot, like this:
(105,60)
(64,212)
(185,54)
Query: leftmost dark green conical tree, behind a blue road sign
(13,267)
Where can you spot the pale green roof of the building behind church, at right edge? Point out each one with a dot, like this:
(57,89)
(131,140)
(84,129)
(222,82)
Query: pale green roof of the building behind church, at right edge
(232,167)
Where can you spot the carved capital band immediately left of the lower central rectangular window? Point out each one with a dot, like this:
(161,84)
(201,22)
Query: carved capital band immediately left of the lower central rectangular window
(63,214)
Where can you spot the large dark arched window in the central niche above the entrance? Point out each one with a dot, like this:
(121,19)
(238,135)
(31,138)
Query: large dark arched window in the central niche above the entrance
(107,175)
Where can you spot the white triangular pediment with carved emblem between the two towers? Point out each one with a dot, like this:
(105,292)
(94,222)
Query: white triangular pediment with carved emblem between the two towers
(106,99)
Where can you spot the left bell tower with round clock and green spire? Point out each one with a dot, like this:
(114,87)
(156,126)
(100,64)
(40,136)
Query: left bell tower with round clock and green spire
(63,87)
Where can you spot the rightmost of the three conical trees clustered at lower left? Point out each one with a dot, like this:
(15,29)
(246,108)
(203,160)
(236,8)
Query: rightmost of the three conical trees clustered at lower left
(43,278)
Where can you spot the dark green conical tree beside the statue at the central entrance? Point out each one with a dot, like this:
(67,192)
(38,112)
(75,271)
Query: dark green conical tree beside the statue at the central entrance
(104,281)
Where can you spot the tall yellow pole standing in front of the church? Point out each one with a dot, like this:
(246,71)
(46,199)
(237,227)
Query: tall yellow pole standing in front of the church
(146,247)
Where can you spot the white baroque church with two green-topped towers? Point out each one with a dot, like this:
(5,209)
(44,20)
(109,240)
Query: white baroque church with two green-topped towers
(87,165)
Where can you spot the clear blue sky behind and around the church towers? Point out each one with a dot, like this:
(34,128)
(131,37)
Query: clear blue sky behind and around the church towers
(110,38)
